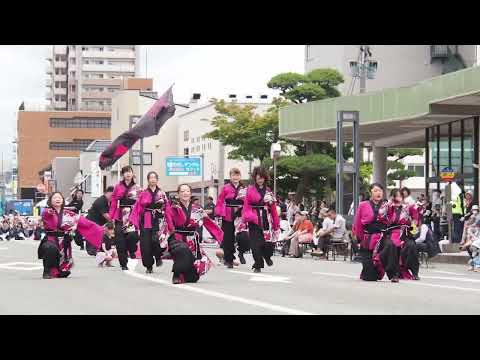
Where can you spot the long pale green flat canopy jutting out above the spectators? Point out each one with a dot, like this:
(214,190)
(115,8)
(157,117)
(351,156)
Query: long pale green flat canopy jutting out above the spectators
(391,117)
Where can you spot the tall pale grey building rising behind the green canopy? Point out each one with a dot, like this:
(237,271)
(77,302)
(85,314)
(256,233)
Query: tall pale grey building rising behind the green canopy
(398,65)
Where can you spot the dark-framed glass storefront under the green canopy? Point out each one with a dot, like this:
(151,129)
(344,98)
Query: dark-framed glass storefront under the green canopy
(453,145)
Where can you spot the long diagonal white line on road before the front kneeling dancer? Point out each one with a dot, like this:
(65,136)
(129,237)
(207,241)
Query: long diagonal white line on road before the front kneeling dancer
(220,295)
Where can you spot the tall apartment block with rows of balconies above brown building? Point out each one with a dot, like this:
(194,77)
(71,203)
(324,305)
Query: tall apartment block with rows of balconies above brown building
(84,77)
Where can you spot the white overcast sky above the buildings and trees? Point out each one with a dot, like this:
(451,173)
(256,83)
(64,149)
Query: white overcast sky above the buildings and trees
(212,70)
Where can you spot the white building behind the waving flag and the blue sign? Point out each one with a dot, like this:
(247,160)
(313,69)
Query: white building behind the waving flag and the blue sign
(182,135)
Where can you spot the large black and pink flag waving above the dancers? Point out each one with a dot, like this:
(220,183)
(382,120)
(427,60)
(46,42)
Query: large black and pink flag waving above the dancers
(148,125)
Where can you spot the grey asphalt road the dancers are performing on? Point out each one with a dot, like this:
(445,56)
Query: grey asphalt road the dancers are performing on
(291,286)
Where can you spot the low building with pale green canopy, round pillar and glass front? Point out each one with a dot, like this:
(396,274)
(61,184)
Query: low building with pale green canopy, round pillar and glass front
(440,115)
